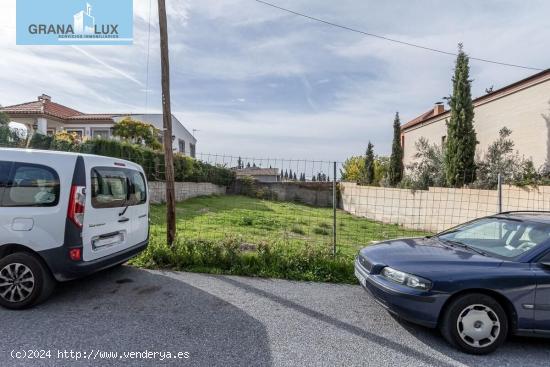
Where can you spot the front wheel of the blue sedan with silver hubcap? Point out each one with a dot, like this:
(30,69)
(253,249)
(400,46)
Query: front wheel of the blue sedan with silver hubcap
(475,323)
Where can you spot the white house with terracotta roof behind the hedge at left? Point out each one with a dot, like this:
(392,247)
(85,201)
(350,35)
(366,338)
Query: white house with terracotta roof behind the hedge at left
(48,117)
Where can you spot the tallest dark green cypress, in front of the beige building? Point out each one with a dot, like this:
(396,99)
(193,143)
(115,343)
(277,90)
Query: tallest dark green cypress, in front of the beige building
(460,147)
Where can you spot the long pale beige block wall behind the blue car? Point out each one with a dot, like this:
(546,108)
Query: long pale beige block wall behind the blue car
(438,208)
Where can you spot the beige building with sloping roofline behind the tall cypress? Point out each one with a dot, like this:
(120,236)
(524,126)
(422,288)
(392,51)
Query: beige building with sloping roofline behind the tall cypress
(523,107)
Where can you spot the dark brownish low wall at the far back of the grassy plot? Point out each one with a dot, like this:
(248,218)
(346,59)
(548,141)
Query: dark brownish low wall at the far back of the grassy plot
(311,193)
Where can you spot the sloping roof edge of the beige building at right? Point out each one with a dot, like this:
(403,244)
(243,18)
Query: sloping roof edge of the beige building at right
(511,88)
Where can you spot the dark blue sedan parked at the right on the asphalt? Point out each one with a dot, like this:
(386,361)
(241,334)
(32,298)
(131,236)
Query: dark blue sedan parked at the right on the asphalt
(478,282)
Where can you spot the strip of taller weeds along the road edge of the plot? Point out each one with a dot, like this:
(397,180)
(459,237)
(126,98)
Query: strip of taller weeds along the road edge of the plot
(227,257)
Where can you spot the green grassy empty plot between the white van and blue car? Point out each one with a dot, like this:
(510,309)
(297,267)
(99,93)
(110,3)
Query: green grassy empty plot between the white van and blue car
(246,236)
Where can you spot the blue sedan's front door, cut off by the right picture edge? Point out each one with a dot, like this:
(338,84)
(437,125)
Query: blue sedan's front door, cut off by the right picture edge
(542,297)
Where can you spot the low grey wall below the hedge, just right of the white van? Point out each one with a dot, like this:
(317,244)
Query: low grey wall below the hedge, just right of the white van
(184,190)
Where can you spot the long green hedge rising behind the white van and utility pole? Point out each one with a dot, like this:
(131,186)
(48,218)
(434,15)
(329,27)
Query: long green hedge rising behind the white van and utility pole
(186,169)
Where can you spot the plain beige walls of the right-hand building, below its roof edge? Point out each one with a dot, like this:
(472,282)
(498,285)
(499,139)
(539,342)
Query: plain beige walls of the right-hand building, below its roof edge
(522,111)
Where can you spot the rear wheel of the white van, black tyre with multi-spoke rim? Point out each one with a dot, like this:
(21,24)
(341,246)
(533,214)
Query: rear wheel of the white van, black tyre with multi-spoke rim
(24,281)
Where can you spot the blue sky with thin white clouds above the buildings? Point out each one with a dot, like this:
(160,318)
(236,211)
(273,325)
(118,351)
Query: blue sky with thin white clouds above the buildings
(261,83)
